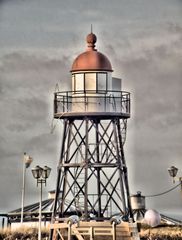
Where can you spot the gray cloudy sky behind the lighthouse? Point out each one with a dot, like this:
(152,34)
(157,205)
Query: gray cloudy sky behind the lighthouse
(39,40)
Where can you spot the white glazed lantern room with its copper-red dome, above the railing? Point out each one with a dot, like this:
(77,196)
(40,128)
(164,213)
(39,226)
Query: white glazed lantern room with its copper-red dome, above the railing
(92,70)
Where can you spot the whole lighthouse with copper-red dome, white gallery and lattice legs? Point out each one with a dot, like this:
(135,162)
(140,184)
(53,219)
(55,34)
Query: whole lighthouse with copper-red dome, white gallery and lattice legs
(92,176)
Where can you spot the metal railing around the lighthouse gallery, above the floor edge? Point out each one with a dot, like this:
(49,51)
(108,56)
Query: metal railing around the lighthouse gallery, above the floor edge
(92,101)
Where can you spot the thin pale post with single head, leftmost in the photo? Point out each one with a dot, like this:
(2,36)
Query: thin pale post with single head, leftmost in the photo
(27,160)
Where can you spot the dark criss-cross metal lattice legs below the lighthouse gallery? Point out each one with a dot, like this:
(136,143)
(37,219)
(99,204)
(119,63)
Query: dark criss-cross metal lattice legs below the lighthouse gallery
(92,164)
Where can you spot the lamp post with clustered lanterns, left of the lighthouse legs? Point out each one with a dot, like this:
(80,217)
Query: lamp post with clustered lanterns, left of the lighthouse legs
(41,174)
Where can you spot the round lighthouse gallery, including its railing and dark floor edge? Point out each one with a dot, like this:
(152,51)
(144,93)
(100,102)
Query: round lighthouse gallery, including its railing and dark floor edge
(94,104)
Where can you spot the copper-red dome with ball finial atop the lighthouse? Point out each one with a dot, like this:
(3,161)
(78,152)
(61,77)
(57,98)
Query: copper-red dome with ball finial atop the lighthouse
(91,59)
